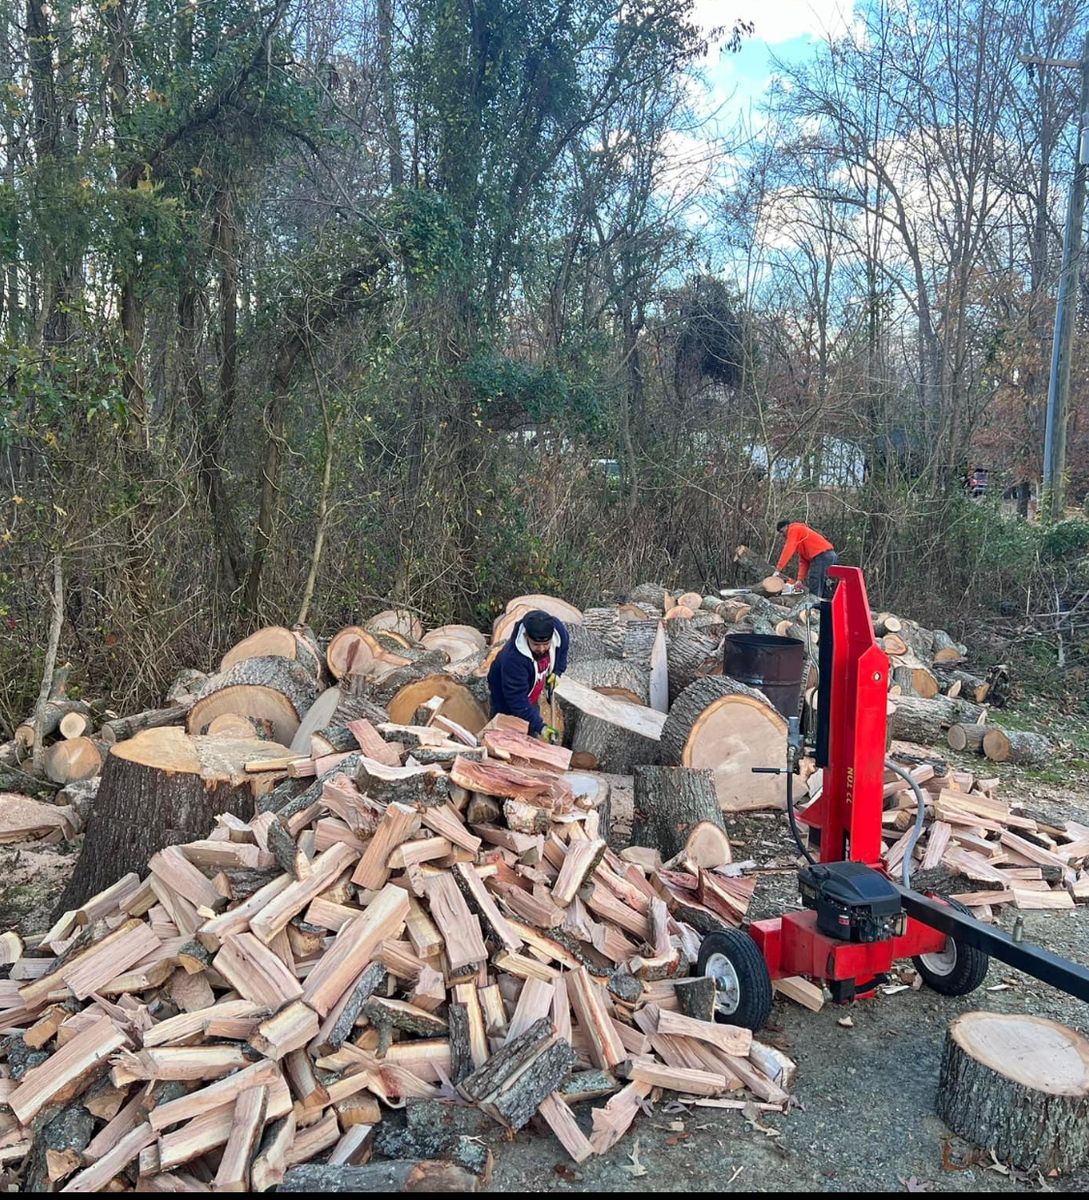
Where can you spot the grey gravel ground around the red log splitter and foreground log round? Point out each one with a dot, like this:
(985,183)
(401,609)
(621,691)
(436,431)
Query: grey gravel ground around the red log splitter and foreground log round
(865,1095)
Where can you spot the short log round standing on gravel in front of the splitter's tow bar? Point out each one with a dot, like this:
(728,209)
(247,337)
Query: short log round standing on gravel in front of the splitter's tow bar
(1019,1087)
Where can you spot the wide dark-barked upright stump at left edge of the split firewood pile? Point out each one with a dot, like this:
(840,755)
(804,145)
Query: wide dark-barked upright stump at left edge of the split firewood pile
(160,789)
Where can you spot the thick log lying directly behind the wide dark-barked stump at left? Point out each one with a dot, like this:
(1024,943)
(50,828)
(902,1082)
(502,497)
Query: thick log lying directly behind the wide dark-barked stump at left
(268,689)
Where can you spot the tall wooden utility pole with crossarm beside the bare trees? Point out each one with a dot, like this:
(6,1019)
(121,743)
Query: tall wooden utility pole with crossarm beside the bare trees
(1058,386)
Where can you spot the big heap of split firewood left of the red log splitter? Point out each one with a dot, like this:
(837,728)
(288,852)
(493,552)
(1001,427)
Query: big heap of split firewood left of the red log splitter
(264,995)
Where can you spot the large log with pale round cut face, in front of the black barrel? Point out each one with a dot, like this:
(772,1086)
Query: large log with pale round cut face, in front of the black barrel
(729,728)
